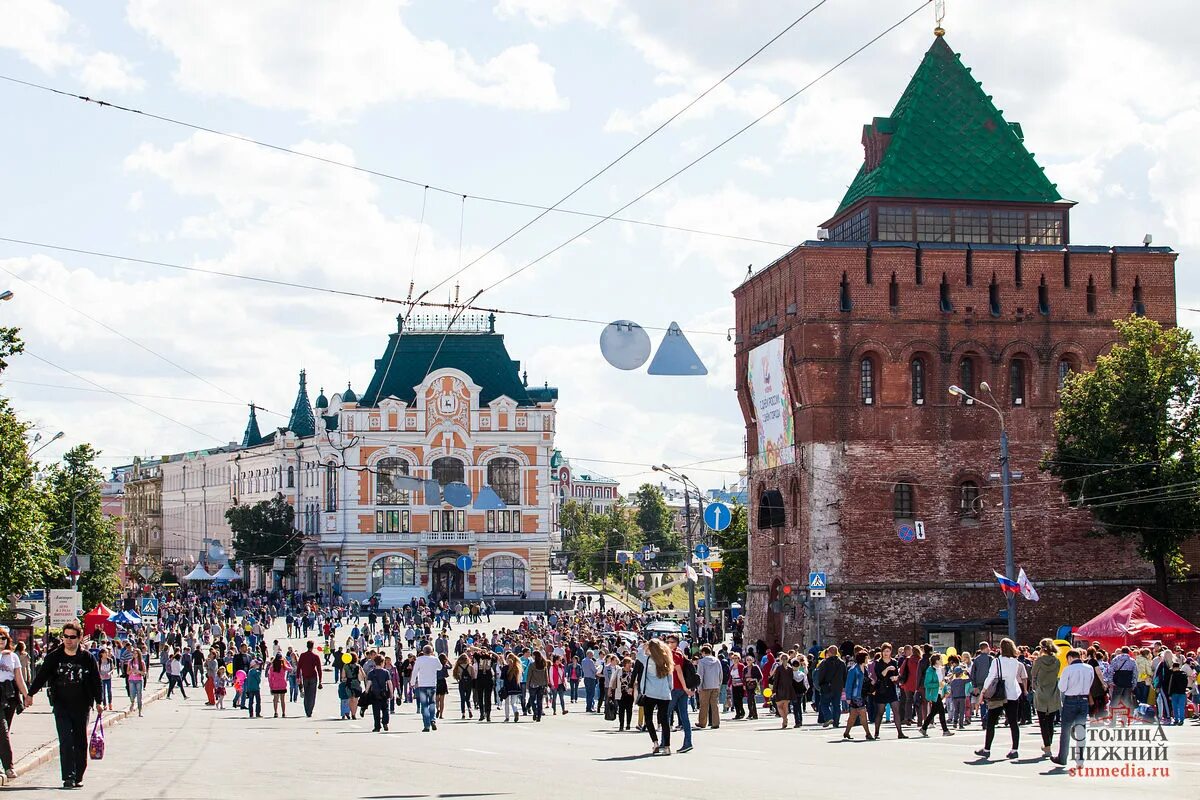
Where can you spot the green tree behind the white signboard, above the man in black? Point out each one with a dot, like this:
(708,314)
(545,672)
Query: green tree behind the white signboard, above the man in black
(75,515)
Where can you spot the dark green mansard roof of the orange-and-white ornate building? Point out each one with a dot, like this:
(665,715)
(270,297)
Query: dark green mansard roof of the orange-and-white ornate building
(483,357)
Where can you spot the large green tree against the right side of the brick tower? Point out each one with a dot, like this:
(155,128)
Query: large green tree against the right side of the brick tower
(1127,441)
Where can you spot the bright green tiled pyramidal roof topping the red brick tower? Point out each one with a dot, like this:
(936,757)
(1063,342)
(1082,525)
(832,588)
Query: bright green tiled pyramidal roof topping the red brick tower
(947,141)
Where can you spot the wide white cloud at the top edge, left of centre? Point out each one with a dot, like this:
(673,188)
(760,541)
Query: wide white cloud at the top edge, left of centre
(333,59)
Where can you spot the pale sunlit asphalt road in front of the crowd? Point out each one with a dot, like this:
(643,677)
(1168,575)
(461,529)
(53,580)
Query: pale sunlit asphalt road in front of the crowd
(185,750)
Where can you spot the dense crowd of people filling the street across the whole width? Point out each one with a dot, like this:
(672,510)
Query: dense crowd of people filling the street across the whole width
(605,659)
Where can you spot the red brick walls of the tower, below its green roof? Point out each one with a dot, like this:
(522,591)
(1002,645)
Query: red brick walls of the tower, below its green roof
(1054,304)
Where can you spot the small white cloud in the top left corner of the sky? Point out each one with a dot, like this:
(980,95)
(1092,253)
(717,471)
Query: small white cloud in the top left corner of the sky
(44,34)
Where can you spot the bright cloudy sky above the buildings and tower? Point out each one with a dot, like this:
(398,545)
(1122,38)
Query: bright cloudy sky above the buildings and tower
(517,100)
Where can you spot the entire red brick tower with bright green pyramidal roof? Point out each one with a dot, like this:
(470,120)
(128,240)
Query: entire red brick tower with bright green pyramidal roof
(949,262)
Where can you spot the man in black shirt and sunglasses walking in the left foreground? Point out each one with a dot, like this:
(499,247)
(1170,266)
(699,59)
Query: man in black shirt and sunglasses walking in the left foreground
(75,682)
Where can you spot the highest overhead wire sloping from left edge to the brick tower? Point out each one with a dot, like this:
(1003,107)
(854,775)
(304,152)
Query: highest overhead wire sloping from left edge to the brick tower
(377,173)
